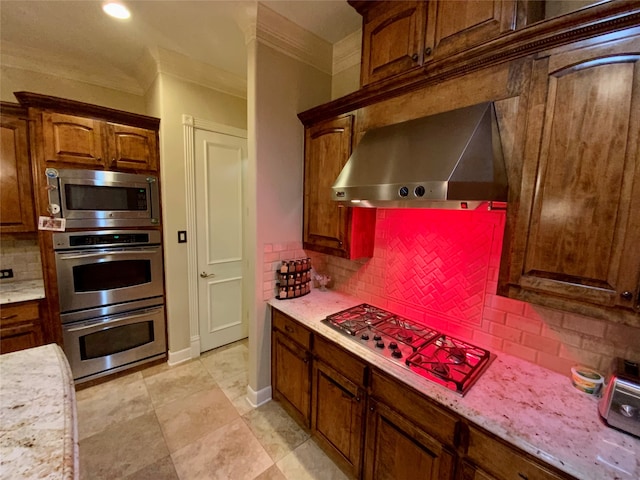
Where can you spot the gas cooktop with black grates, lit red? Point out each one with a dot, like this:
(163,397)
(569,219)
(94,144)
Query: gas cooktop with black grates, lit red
(440,358)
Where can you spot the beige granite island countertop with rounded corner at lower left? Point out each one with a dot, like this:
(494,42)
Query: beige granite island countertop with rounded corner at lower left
(38,427)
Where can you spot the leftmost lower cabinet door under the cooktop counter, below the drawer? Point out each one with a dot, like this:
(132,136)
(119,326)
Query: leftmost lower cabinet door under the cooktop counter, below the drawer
(292,377)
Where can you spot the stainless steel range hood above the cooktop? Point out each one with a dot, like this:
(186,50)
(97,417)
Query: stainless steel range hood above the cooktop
(450,160)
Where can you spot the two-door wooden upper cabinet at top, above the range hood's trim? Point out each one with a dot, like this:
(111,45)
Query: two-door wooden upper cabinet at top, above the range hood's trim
(398,36)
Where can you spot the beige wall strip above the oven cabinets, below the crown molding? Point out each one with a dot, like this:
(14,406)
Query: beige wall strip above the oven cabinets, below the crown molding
(17,80)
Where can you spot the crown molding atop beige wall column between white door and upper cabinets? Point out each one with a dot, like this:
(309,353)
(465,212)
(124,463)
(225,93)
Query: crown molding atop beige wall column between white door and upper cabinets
(283,35)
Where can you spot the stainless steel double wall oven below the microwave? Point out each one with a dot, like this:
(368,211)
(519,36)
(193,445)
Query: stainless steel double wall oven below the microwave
(111,289)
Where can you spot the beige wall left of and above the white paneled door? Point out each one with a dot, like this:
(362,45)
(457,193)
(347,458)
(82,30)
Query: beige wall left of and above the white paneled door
(170,98)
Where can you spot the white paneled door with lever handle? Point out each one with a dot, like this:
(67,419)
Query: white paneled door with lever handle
(219,162)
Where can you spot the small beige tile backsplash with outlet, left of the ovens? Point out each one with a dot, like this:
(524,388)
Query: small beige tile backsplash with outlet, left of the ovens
(23,256)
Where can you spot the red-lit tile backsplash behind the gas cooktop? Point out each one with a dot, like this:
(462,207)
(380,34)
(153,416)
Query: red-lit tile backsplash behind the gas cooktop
(441,267)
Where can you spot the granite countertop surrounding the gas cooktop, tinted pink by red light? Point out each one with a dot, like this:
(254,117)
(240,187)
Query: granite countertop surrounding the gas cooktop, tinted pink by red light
(530,407)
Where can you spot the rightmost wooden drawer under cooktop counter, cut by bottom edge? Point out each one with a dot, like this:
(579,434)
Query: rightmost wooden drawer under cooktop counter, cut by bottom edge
(503,461)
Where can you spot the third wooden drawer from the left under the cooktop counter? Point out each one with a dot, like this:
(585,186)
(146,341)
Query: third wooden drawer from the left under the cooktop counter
(417,408)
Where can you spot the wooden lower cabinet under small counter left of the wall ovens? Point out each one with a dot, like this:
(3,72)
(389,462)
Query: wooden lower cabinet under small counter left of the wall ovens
(20,326)
